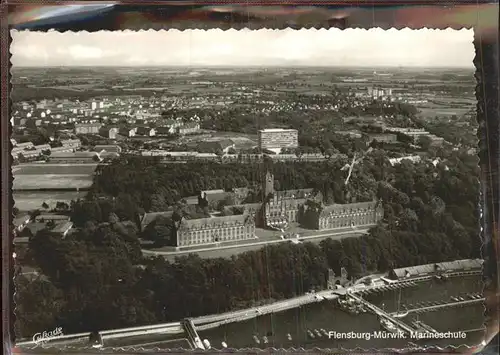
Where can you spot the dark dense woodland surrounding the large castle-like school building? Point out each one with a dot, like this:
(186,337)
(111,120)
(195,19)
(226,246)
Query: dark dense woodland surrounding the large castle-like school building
(97,278)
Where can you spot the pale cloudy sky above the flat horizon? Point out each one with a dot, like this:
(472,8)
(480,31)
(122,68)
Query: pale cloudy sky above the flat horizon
(306,47)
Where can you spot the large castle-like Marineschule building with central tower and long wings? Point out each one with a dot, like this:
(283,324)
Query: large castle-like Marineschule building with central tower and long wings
(278,211)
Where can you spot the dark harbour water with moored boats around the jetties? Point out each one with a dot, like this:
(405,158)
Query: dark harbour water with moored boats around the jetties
(326,315)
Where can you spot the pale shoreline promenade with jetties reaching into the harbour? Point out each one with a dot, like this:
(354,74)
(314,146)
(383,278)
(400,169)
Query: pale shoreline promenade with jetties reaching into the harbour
(189,328)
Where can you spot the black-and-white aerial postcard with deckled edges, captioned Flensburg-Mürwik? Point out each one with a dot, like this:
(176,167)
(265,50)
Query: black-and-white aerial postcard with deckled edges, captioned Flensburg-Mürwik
(209,189)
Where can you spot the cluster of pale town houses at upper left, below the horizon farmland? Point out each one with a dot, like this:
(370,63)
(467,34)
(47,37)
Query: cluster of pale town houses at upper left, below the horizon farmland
(104,117)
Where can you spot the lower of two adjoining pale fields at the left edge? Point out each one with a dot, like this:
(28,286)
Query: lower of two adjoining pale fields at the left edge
(30,200)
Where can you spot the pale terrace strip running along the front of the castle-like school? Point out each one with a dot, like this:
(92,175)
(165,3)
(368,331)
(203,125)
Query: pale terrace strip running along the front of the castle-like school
(228,251)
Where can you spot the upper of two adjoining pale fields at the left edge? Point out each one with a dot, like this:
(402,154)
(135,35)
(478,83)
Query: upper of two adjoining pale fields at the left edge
(51,181)
